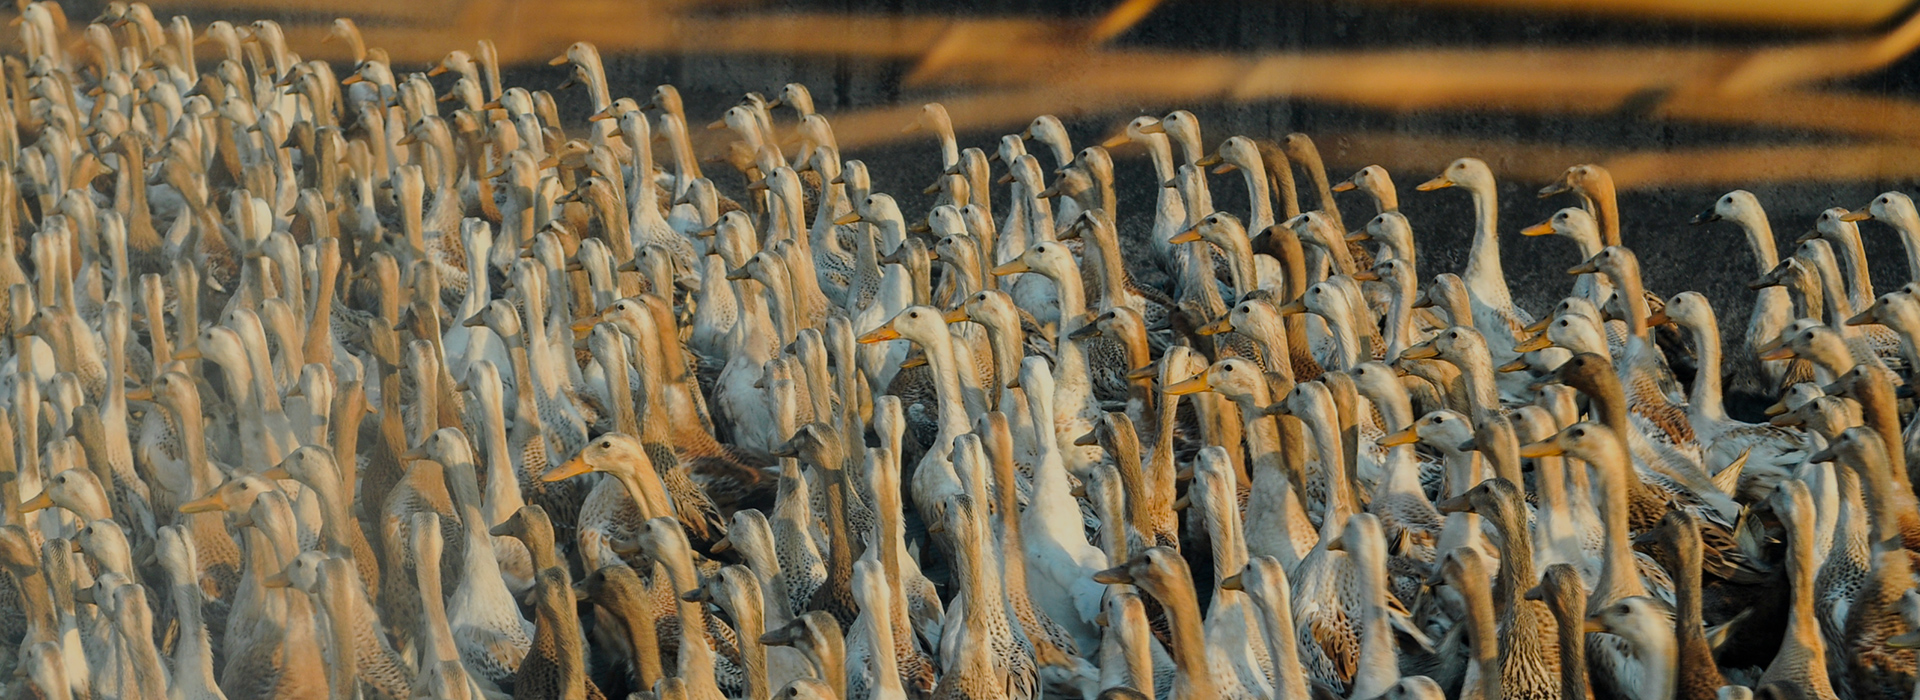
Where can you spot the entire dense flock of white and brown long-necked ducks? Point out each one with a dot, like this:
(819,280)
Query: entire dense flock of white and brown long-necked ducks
(404,386)
